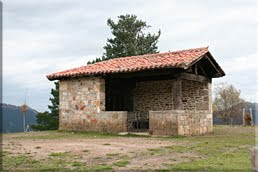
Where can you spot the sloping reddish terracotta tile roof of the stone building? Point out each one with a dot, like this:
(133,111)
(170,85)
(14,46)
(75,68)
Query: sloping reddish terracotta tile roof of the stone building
(176,59)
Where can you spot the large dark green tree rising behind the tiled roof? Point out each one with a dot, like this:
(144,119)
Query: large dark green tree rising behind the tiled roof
(129,38)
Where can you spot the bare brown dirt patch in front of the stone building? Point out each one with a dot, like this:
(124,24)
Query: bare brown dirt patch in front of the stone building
(140,152)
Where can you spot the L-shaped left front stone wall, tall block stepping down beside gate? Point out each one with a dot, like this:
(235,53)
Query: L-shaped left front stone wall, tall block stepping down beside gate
(82,107)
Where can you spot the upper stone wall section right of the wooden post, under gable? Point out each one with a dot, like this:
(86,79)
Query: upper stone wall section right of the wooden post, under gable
(196,95)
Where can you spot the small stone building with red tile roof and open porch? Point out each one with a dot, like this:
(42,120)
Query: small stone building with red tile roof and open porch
(164,93)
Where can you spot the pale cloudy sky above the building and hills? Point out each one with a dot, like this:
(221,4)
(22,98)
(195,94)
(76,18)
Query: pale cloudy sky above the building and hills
(41,37)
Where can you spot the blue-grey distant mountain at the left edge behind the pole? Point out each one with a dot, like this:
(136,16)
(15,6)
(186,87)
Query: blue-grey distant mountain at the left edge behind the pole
(12,118)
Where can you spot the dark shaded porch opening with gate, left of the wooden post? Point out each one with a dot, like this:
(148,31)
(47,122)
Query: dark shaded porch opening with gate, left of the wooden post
(138,94)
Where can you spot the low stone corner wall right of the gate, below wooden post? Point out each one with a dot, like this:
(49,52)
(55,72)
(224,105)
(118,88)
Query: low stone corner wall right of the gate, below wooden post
(180,122)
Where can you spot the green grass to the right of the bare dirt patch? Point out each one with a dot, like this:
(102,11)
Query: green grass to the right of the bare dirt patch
(224,150)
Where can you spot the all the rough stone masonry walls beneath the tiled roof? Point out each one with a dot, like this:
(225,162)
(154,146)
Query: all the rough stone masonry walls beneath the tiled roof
(82,107)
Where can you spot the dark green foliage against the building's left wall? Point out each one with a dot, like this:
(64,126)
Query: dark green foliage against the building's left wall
(49,120)
